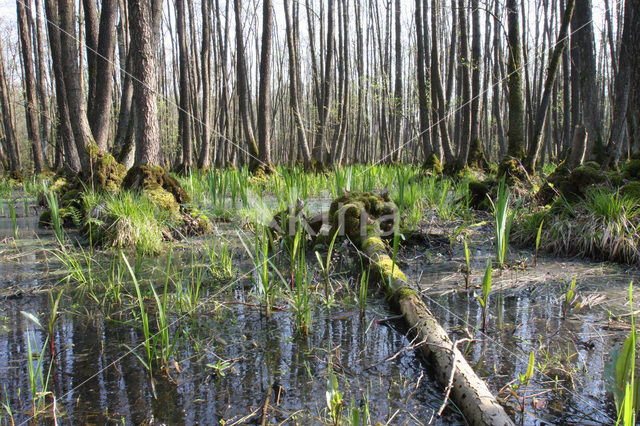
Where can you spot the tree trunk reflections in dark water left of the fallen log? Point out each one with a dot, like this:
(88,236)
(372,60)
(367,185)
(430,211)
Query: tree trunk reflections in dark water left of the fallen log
(95,381)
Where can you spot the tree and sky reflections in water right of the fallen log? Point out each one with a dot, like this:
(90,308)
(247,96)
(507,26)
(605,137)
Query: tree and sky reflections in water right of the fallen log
(529,319)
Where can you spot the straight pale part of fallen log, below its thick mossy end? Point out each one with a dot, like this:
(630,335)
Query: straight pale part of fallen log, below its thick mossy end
(470,393)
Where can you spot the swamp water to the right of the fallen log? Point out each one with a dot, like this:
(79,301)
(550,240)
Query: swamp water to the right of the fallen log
(572,353)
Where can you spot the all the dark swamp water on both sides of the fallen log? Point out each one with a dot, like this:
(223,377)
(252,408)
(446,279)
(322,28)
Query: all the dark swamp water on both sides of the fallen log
(231,359)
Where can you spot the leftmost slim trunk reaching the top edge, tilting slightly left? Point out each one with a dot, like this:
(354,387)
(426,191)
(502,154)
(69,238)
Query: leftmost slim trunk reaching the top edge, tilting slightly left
(33,128)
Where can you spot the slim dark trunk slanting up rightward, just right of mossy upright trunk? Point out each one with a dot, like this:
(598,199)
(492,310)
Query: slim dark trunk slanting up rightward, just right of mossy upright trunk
(541,114)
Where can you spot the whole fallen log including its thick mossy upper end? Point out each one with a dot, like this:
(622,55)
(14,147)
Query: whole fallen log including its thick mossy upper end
(469,393)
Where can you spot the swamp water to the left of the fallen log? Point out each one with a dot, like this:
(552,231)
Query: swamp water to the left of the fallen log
(230,358)
